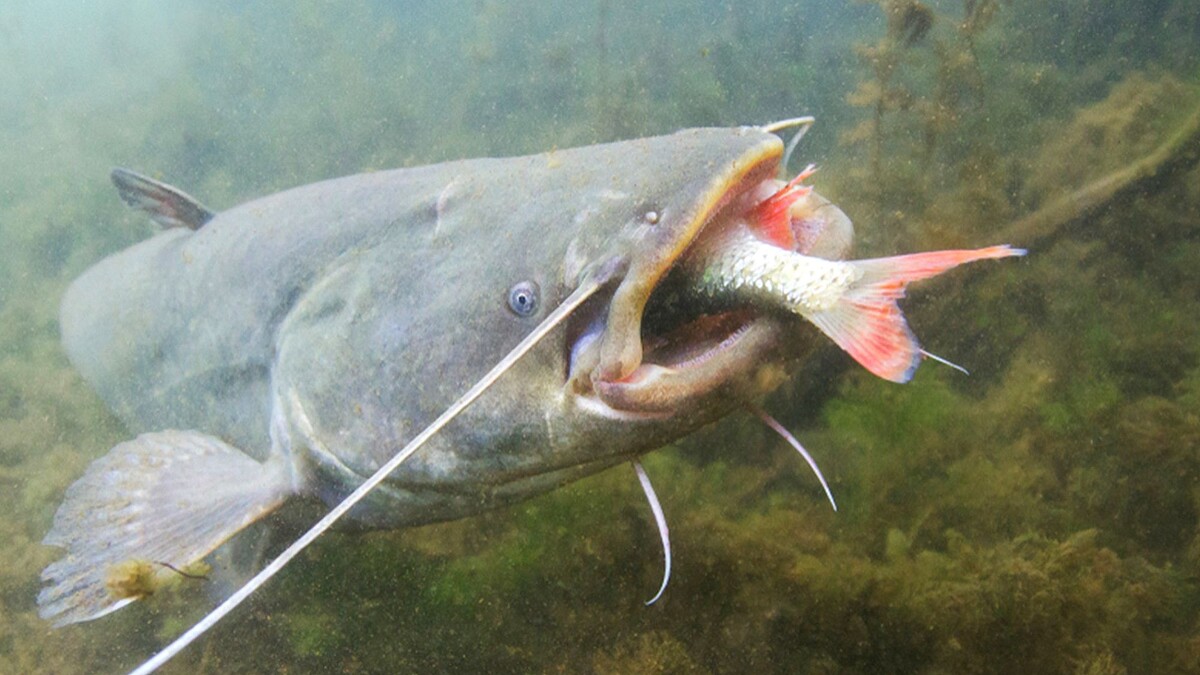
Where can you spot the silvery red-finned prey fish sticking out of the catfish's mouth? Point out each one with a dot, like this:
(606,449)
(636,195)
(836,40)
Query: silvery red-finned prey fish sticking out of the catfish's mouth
(760,259)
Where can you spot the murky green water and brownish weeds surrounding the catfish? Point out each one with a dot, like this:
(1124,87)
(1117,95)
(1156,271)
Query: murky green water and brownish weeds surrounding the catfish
(1039,517)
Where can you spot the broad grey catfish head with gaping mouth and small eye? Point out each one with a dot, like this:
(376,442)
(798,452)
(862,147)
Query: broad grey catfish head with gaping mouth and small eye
(395,330)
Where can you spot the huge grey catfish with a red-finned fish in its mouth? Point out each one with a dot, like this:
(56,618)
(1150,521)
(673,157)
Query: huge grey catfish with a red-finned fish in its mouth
(289,349)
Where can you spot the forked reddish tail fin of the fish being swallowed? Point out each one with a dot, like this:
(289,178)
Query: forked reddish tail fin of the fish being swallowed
(867,322)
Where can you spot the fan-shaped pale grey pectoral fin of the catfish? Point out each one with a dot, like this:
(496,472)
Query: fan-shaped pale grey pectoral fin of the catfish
(148,512)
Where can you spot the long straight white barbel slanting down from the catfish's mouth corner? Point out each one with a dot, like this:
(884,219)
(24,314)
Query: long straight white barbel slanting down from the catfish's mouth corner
(561,313)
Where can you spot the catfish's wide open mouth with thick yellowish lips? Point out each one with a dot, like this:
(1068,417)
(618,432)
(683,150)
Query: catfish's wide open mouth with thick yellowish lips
(664,343)
